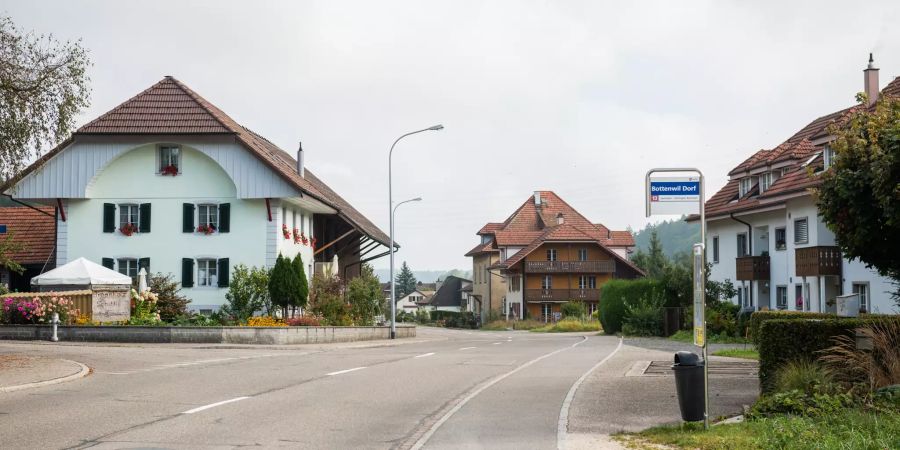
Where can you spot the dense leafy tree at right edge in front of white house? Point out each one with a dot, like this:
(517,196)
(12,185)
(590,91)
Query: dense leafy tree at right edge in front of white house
(859,197)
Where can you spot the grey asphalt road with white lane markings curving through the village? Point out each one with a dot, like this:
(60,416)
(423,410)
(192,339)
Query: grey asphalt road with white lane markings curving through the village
(445,389)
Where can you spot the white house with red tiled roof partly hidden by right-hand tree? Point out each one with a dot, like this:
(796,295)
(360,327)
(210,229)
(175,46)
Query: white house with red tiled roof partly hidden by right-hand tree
(764,230)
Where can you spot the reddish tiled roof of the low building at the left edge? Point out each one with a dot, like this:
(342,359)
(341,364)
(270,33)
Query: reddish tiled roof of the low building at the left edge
(34,230)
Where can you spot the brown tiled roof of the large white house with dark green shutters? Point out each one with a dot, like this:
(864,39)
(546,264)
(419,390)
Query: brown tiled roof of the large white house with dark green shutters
(170,107)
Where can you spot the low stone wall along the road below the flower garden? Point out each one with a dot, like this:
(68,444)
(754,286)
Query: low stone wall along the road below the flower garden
(204,335)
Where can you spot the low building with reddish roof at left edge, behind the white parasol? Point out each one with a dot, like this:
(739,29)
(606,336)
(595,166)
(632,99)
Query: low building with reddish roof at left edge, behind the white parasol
(33,230)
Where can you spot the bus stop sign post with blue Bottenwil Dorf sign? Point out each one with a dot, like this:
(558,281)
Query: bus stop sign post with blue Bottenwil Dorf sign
(684,195)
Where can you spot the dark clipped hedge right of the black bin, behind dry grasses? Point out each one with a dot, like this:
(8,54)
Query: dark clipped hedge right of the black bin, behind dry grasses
(785,339)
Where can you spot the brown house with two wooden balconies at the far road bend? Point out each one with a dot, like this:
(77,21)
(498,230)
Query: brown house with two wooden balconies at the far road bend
(543,255)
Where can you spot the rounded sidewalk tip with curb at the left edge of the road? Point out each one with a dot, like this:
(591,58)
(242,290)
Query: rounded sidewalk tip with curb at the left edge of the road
(18,371)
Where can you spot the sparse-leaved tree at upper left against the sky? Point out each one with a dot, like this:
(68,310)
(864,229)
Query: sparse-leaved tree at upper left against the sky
(43,86)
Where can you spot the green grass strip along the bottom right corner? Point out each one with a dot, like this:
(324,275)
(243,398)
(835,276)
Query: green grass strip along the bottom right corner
(853,429)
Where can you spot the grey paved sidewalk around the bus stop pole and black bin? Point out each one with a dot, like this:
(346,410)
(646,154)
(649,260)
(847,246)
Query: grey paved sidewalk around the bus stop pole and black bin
(619,397)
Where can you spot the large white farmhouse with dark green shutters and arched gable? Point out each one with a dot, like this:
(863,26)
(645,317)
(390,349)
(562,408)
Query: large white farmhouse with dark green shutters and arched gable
(168,182)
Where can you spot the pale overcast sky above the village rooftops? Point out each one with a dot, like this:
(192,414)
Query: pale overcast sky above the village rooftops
(581,98)
